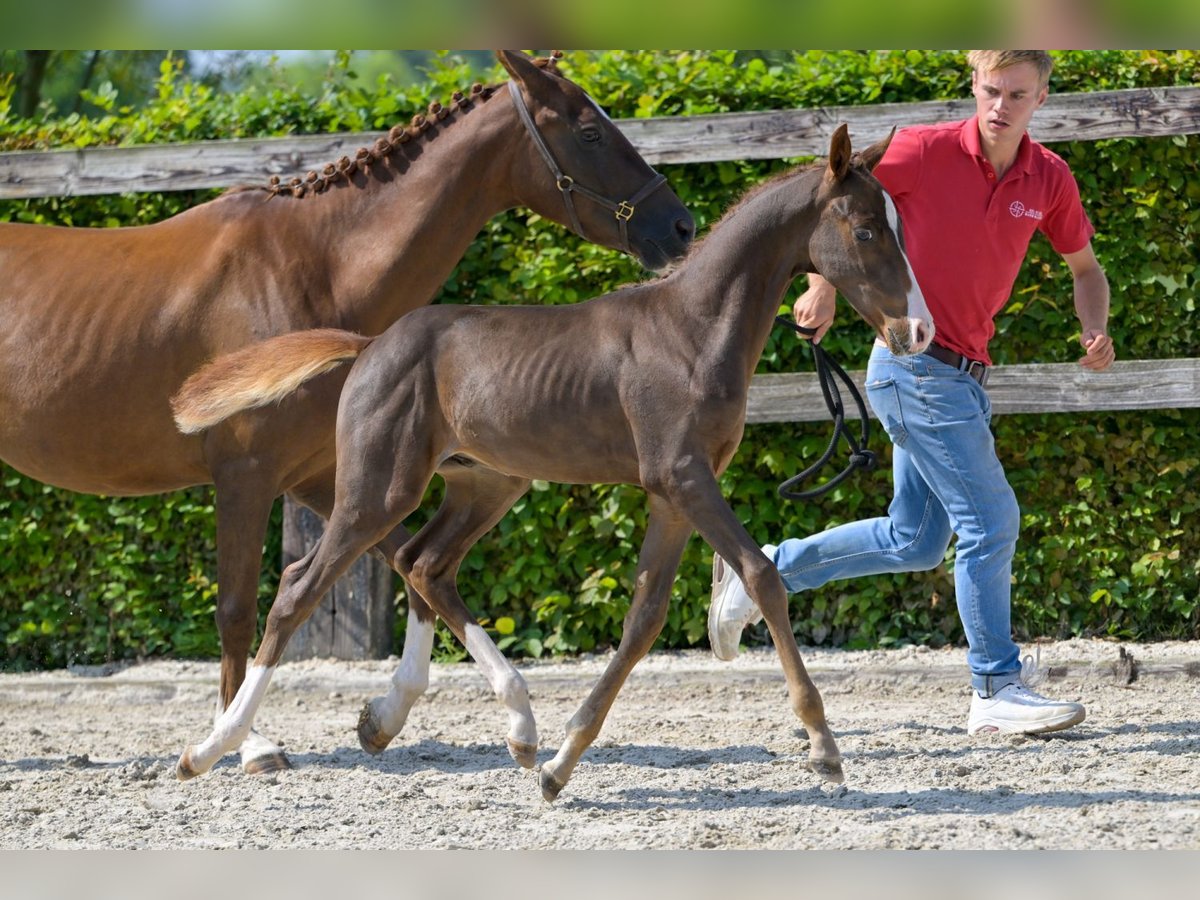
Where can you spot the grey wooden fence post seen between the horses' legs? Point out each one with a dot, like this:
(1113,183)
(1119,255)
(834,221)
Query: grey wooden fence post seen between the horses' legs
(356,620)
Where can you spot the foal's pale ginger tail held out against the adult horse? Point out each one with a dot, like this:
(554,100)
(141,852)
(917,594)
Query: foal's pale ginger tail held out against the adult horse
(260,375)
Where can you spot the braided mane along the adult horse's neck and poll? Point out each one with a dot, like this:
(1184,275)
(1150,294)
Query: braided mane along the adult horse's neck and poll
(399,135)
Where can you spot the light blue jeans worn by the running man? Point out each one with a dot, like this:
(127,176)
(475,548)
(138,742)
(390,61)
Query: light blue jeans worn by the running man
(949,481)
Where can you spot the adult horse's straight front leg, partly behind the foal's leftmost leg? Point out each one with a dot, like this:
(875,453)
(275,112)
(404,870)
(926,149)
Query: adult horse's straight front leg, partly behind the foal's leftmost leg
(244,507)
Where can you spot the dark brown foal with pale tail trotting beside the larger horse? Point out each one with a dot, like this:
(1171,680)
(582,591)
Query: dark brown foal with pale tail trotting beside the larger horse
(646,386)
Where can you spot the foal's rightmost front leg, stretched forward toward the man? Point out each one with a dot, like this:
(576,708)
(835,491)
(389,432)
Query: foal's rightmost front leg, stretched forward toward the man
(717,524)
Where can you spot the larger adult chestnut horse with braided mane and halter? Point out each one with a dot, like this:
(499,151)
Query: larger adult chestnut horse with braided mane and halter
(100,327)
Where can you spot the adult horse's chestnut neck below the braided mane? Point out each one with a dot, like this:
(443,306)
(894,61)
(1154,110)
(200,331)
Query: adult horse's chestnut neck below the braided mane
(393,243)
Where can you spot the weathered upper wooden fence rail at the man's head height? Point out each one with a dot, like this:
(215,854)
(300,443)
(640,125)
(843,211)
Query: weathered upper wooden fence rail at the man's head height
(1142,112)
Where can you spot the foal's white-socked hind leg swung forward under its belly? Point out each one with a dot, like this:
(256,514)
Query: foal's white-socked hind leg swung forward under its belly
(476,500)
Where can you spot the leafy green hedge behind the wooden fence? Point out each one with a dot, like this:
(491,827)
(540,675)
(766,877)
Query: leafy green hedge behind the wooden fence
(1107,499)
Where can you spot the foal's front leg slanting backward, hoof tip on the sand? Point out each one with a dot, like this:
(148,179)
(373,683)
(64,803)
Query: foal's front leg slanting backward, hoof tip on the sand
(667,535)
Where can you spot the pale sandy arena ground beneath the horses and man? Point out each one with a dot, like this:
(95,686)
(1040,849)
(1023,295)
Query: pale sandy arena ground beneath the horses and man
(697,754)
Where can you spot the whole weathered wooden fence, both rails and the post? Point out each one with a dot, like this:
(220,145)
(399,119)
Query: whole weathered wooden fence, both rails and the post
(356,622)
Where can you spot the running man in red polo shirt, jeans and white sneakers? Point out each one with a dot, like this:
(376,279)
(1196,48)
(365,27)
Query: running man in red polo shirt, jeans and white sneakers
(970,197)
